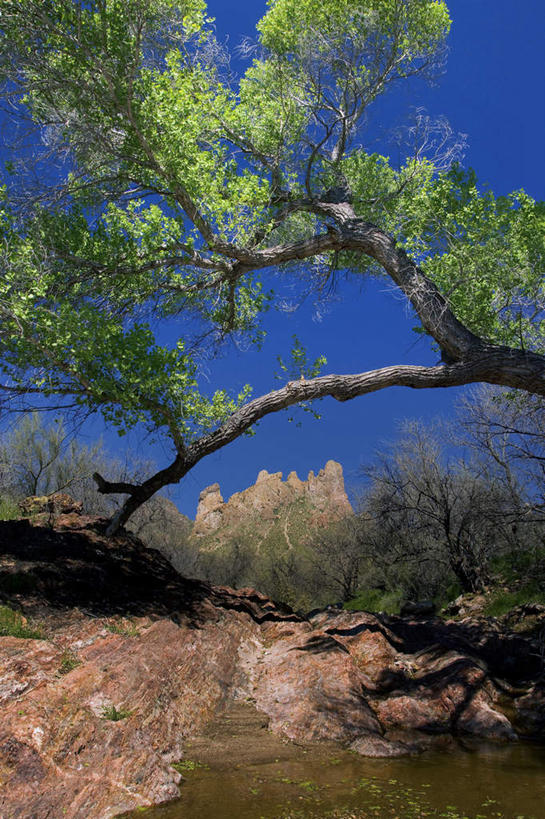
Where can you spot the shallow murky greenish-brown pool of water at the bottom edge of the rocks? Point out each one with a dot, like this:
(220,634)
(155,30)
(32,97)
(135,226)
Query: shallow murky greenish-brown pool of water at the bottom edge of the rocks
(488,781)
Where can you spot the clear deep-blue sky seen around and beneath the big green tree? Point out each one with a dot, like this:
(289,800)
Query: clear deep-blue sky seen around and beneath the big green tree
(493,91)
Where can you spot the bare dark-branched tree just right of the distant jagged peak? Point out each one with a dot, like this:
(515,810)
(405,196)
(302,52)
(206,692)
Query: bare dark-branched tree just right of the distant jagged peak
(455,512)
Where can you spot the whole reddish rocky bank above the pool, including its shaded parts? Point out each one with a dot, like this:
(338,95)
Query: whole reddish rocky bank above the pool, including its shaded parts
(132,661)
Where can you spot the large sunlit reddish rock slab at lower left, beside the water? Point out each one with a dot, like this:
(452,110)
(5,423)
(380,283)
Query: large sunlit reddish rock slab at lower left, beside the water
(56,740)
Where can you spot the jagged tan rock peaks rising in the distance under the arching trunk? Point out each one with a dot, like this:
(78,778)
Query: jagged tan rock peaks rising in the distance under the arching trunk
(323,495)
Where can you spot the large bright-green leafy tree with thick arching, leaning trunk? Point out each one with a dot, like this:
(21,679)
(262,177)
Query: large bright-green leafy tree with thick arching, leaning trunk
(167,187)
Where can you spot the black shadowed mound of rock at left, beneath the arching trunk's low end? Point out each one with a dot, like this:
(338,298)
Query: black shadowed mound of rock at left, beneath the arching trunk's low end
(75,565)
